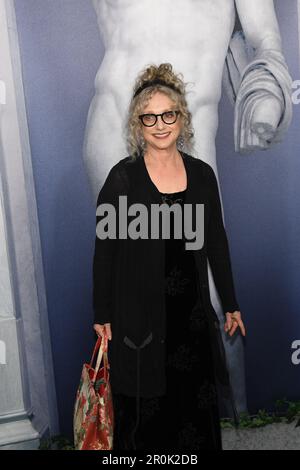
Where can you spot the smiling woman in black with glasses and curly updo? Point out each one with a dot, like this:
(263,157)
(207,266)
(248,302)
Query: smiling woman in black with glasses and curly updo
(151,294)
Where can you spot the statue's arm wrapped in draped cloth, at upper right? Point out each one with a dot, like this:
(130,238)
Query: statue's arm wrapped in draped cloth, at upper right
(263,109)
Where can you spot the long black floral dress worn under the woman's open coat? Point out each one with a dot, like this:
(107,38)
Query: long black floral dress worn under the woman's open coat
(187,417)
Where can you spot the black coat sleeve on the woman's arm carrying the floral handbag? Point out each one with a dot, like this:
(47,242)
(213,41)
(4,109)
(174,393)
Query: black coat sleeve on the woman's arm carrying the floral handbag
(105,250)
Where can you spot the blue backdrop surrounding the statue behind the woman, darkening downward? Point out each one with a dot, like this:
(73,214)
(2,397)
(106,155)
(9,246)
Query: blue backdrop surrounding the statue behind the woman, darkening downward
(60,54)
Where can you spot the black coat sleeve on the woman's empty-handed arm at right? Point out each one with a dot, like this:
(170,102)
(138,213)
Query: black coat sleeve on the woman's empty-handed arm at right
(218,249)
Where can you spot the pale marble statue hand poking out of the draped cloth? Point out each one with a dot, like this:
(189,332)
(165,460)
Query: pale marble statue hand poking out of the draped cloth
(266,117)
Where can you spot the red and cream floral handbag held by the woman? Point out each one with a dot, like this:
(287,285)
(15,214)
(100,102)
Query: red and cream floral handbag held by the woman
(93,420)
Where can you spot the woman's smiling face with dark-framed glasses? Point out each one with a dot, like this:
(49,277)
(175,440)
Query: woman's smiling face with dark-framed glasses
(161,136)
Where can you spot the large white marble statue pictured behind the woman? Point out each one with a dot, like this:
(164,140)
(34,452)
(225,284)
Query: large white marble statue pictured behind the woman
(198,41)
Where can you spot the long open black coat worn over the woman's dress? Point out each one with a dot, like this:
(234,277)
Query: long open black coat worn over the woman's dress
(128,280)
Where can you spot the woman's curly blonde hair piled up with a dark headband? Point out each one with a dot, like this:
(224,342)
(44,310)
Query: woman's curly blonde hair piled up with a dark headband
(134,135)
